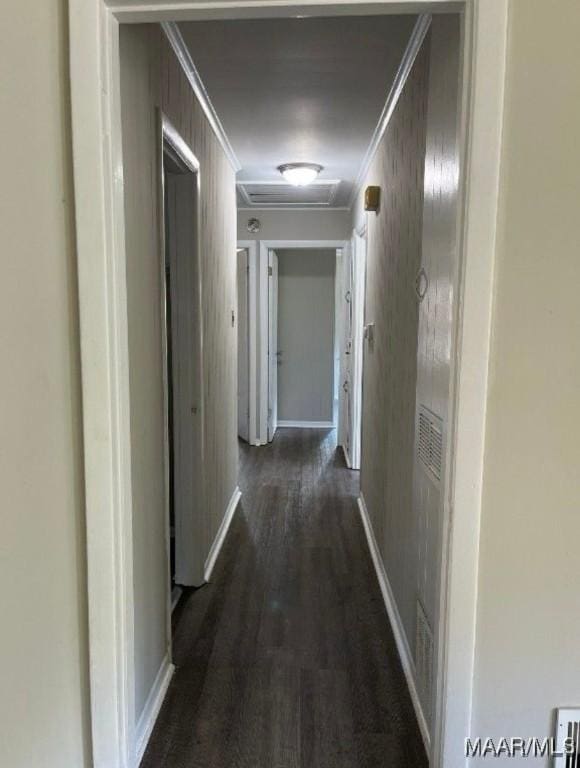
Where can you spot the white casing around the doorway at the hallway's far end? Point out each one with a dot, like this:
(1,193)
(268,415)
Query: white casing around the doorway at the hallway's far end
(265,247)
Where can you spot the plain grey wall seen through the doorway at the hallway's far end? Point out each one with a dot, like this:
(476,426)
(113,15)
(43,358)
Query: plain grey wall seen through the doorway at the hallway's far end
(306,334)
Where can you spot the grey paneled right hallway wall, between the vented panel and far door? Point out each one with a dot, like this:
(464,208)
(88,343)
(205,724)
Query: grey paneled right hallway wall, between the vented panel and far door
(390,363)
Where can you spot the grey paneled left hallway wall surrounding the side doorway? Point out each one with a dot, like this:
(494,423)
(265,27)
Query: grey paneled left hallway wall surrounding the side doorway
(151,77)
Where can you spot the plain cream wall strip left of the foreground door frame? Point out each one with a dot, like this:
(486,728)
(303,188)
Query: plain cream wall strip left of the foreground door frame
(44,708)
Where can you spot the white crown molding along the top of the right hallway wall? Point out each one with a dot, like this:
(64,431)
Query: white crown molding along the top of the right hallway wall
(413,47)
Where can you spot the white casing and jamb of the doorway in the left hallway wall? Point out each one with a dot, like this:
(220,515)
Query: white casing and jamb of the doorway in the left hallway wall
(181,239)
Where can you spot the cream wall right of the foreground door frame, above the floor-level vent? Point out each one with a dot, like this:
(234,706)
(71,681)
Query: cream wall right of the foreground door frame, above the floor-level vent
(528,618)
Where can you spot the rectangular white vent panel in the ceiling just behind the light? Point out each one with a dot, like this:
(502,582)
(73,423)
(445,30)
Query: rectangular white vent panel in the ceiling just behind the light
(264,194)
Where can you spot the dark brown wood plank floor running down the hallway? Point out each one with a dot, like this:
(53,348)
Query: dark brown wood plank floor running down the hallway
(287,659)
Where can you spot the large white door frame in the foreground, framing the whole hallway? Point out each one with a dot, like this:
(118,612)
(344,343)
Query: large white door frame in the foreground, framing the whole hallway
(100,242)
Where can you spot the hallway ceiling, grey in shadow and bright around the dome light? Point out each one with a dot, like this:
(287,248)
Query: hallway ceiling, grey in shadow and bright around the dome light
(289,90)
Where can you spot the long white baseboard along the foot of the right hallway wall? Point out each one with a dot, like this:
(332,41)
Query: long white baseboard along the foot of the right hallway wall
(397,625)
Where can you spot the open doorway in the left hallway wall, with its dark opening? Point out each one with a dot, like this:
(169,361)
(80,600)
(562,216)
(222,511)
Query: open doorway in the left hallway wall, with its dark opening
(181,339)
